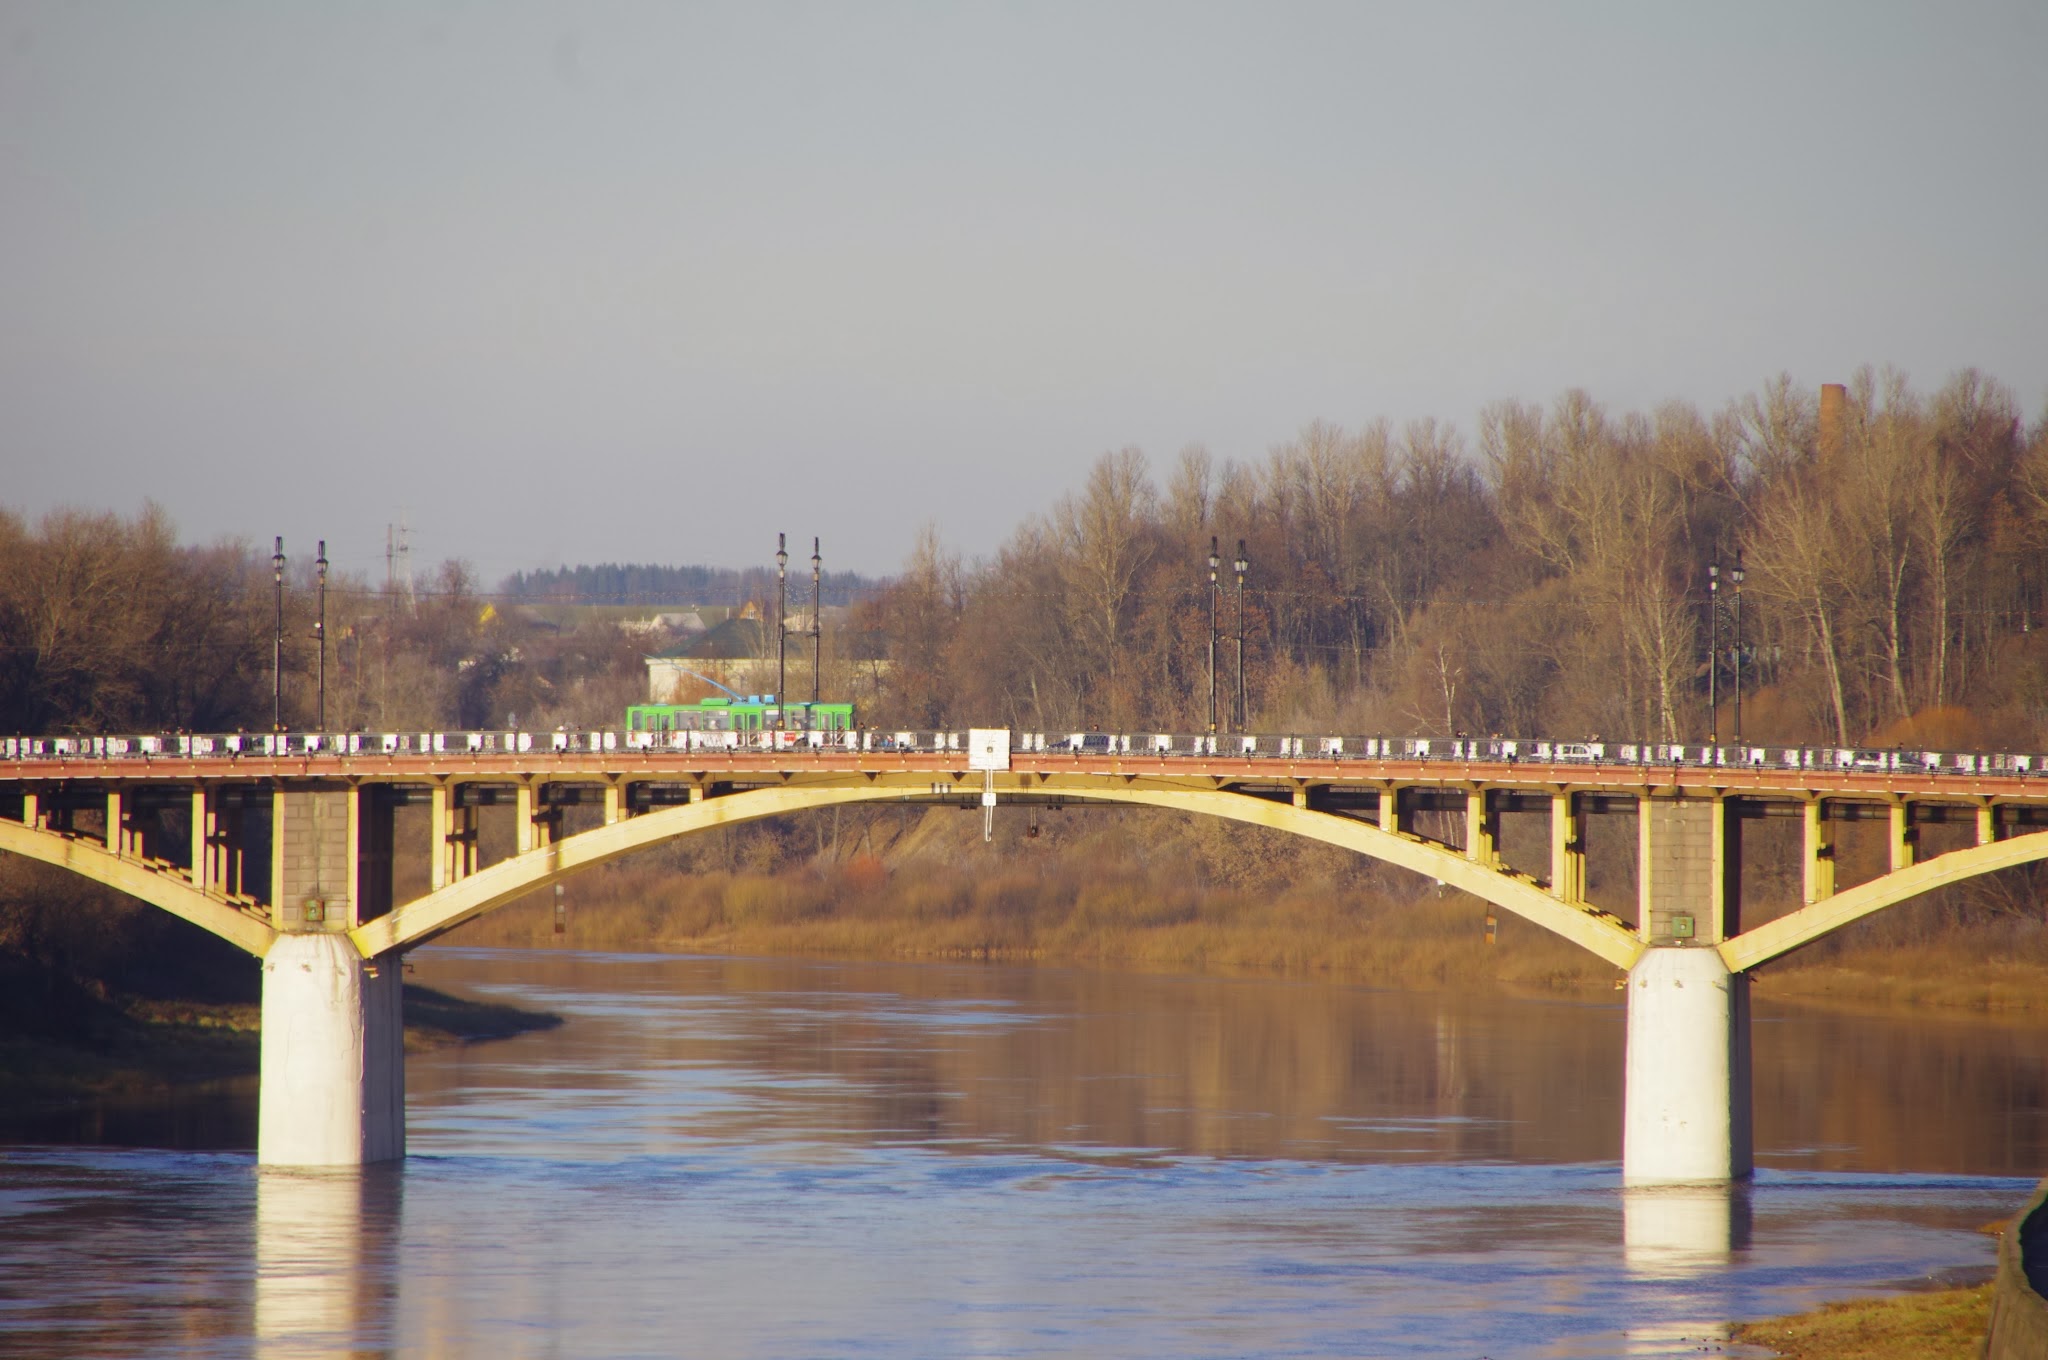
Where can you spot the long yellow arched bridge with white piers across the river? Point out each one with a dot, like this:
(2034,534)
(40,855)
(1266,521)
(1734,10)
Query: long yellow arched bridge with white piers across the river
(288,847)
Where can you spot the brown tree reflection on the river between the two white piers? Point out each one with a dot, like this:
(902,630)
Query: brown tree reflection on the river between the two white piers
(1013,1060)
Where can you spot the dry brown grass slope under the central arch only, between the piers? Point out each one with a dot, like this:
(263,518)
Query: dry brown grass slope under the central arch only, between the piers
(1095,896)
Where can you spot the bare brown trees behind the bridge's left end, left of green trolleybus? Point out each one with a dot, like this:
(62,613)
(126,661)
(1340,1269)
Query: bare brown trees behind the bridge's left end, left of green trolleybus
(110,624)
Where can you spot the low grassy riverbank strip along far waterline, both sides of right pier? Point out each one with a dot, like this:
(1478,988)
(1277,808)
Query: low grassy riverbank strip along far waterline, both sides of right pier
(1138,912)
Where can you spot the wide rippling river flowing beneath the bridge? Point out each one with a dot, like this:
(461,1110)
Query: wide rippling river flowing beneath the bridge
(818,1160)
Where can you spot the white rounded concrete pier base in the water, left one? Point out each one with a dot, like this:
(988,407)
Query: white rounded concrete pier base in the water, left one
(333,1056)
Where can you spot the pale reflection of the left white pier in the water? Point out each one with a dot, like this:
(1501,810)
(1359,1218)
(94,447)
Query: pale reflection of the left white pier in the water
(325,1252)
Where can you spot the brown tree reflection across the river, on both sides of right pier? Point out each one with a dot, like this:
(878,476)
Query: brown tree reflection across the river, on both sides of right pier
(1019,1058)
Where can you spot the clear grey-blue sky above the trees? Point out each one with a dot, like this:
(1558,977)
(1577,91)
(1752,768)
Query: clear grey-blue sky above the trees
(560,284)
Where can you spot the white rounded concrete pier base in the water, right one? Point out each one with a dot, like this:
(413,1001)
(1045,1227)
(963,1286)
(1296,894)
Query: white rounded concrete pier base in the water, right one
(1687,1097)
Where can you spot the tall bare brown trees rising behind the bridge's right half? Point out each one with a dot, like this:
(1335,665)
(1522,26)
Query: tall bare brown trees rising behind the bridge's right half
(1547,575)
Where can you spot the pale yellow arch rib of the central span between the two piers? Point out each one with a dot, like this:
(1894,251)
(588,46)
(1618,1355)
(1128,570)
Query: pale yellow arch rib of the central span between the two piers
(509,880)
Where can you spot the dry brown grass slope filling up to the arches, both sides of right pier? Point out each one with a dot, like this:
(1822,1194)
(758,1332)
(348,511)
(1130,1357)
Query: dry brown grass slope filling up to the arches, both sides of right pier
(1152,890)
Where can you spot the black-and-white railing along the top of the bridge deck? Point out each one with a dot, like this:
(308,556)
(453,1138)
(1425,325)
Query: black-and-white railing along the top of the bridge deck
(1160,745)
